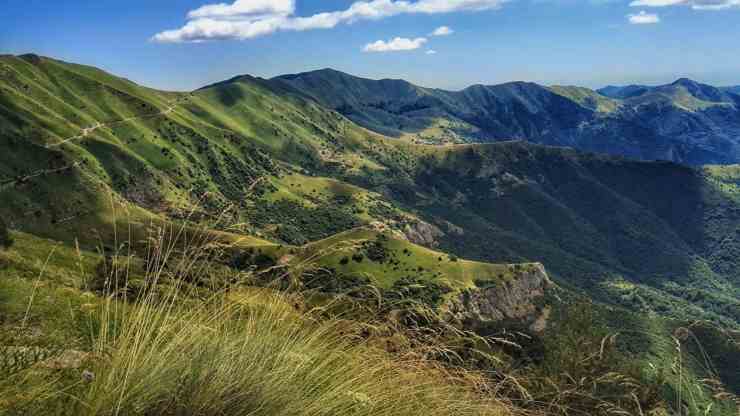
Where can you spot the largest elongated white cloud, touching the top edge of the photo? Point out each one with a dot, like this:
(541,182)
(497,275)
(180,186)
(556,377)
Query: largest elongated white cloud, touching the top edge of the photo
(246,19)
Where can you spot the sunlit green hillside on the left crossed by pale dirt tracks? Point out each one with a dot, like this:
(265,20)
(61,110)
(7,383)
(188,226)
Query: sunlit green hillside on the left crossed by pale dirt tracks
(173,155)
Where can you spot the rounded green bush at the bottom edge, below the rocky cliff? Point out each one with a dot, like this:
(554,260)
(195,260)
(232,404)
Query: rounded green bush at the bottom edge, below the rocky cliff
(583,369)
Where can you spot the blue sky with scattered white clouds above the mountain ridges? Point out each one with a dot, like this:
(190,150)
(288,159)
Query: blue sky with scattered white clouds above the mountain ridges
(185,44)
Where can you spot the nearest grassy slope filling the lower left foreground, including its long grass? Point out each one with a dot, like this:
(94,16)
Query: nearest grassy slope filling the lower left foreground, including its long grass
(68,349)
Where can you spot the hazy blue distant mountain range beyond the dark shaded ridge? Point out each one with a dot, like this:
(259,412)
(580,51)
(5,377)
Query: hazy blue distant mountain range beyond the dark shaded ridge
(684,122)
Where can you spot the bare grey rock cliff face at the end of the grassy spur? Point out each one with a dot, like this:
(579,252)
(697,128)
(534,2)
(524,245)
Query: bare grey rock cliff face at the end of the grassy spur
(519,300)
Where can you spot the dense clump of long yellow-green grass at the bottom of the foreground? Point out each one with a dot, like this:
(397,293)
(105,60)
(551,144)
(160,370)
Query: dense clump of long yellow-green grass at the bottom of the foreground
(250,354)
